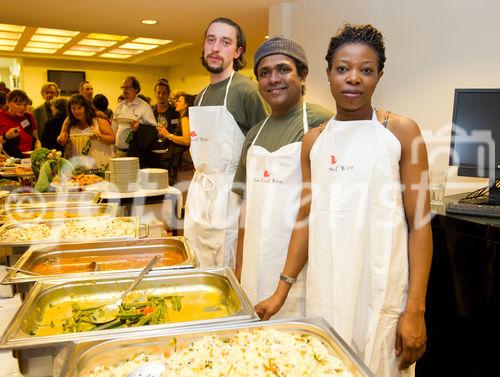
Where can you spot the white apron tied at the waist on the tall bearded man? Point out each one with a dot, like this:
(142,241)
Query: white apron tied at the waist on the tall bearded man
(212,209)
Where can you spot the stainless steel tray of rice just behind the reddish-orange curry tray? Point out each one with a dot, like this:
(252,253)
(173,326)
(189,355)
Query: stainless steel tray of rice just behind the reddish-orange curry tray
(55,223)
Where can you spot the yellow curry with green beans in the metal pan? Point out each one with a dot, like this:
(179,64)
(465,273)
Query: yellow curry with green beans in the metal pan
(140,308)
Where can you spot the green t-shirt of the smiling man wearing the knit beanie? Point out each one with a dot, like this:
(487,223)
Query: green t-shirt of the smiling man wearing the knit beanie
(278,132)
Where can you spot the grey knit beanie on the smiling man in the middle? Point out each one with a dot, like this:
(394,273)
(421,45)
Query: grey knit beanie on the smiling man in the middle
(279,45)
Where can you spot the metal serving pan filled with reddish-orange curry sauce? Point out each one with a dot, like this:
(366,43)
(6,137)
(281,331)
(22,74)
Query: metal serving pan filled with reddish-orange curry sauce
(73,260)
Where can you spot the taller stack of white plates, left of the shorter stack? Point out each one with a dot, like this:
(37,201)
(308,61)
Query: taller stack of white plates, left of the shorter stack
(124,173)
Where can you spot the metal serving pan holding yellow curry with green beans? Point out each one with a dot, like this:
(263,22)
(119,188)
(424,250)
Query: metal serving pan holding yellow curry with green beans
(207,296)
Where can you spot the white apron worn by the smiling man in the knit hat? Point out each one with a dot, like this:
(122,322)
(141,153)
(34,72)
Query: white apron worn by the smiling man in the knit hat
(273,186)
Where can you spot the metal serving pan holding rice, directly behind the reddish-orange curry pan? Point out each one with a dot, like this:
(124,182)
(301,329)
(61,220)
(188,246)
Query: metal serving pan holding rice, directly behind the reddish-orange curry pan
(10,247)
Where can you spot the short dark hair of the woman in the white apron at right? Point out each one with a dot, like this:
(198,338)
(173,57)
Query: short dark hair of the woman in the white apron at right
(364,34)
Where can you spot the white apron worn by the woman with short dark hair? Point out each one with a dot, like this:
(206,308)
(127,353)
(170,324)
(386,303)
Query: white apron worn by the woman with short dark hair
(357,277)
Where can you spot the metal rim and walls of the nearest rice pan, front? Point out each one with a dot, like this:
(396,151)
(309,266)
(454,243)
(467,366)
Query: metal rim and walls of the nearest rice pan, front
(83,356)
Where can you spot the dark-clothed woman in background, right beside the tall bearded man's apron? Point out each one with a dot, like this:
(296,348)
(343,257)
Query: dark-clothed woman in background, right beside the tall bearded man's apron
(178,135)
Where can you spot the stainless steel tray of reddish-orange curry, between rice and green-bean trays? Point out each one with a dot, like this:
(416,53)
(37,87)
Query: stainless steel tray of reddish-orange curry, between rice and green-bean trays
(87,252)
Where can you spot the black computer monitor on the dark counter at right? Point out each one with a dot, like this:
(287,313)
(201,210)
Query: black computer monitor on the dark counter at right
(474,135)
